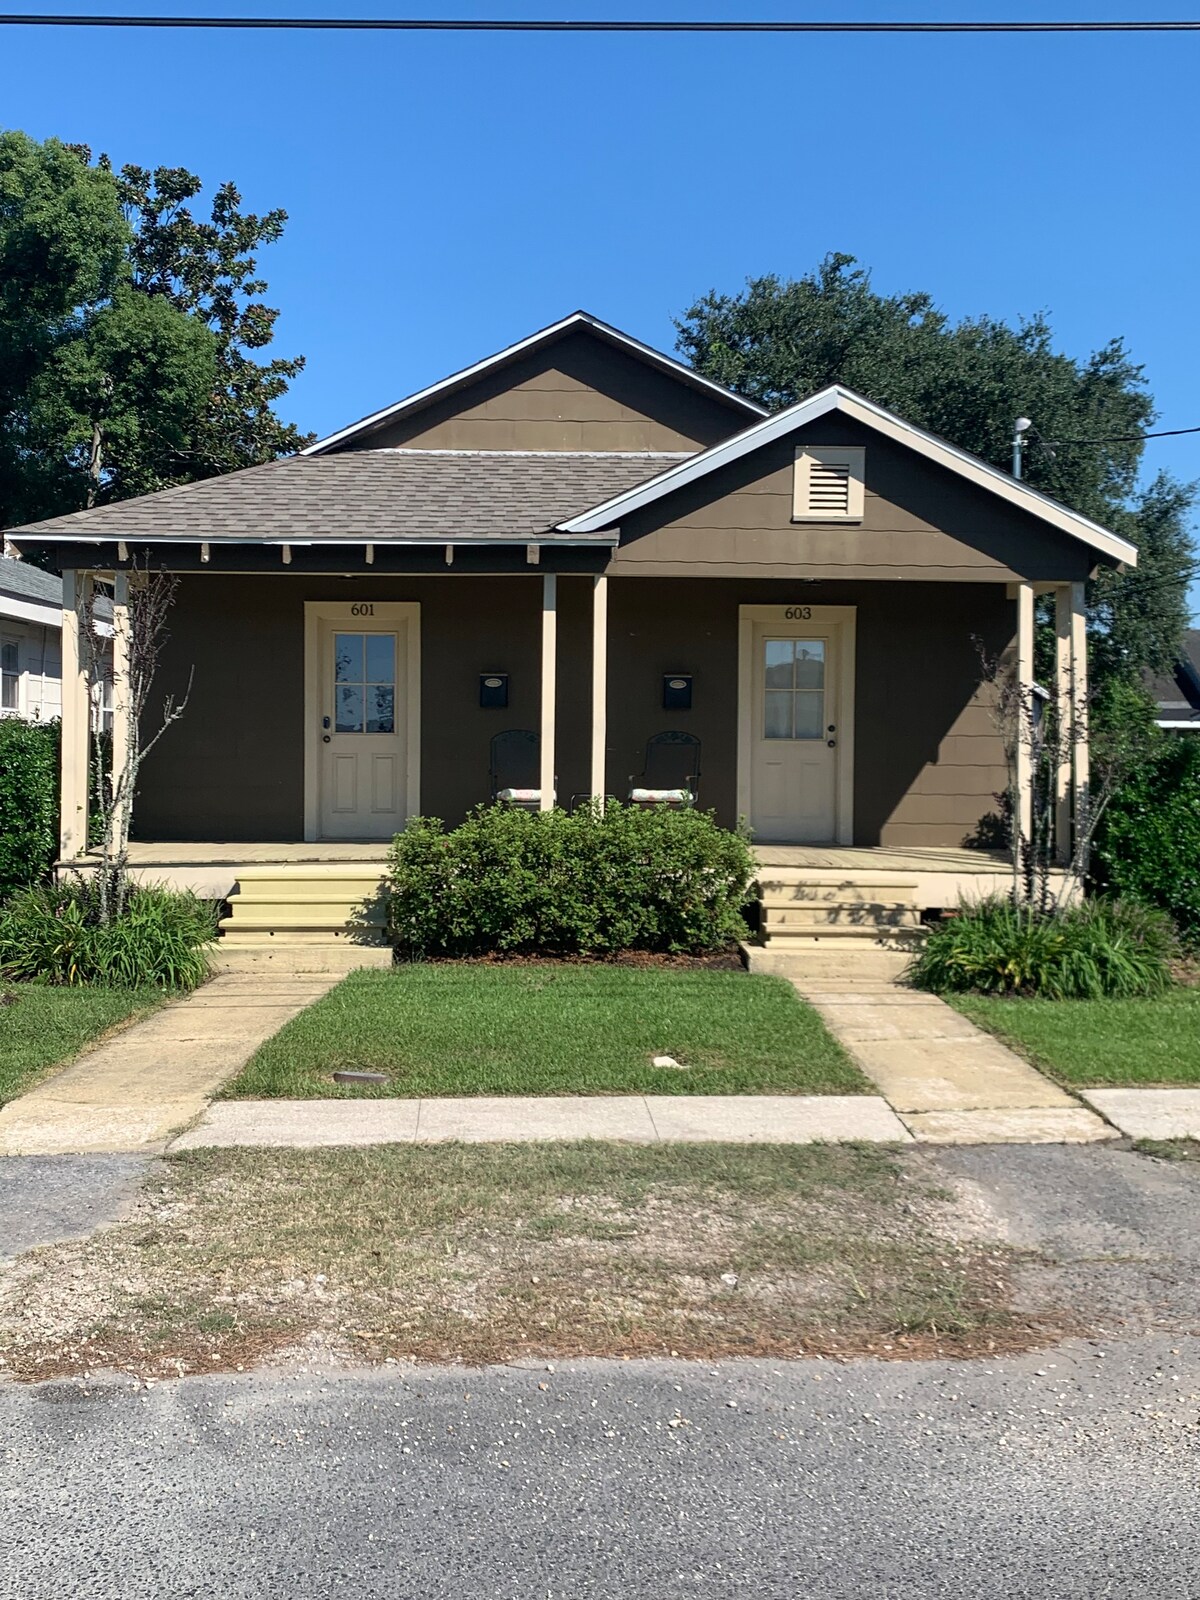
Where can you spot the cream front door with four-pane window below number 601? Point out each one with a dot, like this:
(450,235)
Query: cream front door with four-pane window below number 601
(364,737)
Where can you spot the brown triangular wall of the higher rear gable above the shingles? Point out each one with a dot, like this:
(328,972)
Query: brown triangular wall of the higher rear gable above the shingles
(575,394)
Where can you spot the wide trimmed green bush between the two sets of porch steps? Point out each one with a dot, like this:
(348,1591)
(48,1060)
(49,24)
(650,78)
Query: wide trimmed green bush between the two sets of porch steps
(591,882)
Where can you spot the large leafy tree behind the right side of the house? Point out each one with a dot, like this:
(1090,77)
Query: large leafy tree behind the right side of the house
(969,382)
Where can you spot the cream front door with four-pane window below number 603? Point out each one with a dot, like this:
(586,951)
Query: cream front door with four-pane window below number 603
(794,737)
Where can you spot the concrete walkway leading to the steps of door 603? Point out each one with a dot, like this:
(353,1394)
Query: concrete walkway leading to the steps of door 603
(950,1082)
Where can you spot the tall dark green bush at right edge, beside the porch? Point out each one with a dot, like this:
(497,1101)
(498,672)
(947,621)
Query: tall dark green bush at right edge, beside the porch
(1148,847)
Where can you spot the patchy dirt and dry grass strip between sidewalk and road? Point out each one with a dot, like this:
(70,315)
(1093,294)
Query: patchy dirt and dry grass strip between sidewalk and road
(500,1254)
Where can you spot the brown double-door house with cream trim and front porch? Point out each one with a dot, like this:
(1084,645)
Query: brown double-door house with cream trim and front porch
(585,538)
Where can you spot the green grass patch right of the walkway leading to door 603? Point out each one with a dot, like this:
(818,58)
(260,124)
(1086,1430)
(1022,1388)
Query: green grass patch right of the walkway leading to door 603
(1095,1042)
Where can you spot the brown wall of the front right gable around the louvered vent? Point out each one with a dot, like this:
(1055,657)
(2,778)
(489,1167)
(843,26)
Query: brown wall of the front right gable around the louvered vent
(921,521)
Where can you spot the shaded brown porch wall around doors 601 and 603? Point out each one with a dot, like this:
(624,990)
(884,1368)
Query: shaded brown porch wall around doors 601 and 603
(929,761)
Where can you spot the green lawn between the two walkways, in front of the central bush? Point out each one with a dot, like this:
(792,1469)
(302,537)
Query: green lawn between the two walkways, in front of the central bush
(554,1030)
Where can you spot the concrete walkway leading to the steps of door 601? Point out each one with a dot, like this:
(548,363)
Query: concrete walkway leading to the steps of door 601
(140,1087)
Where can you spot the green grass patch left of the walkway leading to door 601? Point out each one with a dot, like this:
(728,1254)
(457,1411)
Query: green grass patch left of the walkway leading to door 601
(42,1028)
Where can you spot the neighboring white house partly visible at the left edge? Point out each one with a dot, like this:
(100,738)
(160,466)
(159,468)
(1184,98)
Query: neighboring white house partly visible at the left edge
(31,646)
